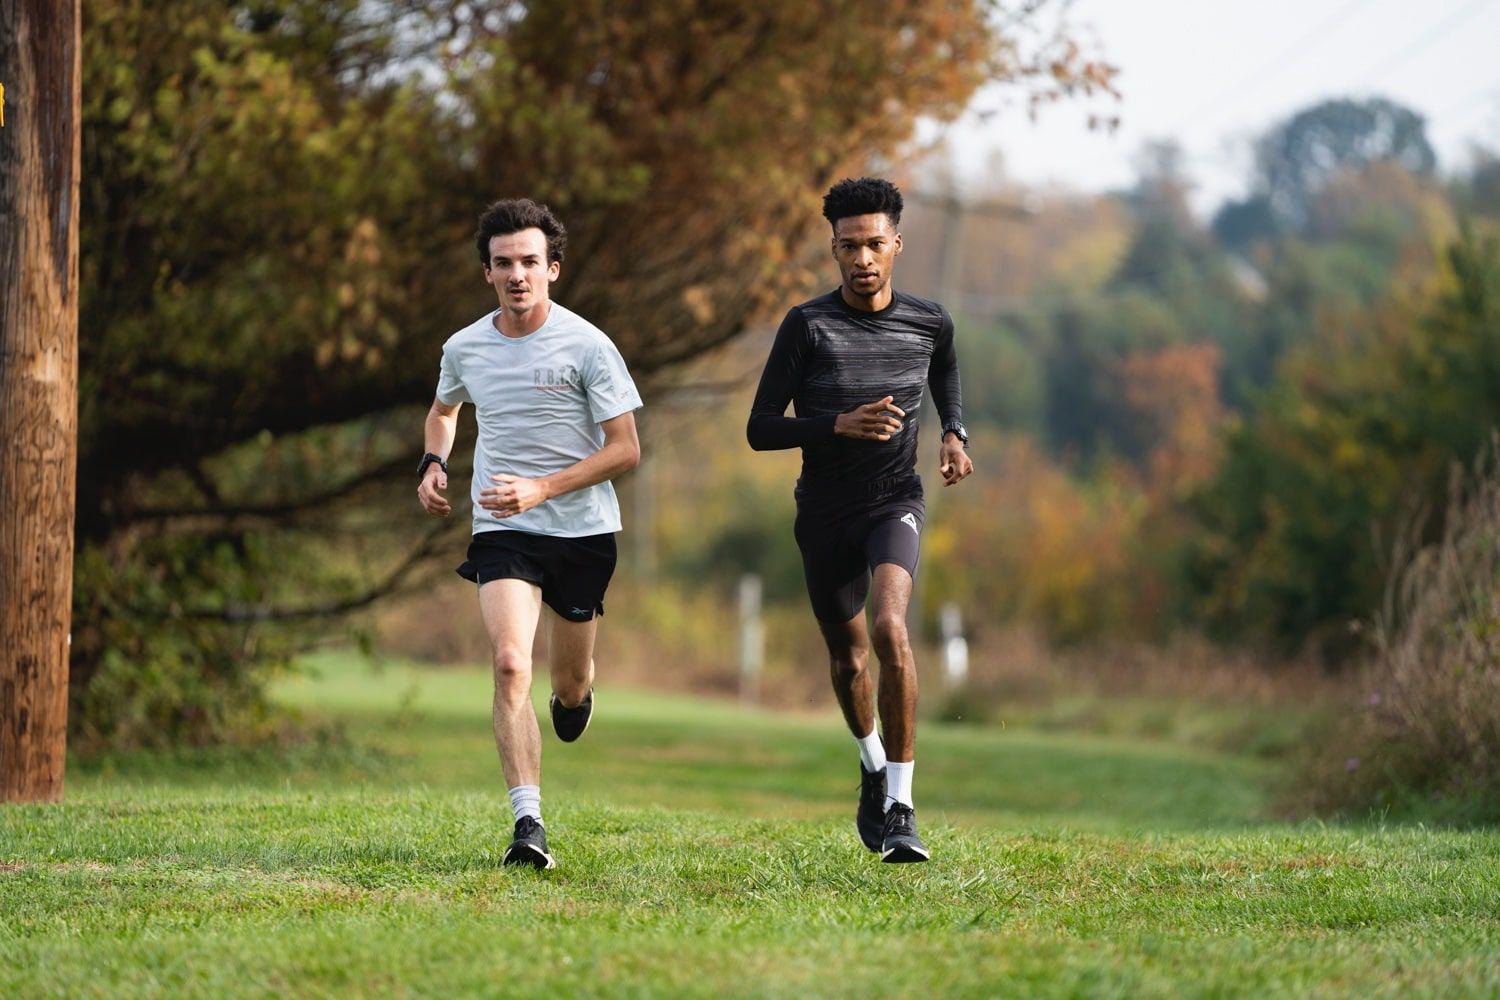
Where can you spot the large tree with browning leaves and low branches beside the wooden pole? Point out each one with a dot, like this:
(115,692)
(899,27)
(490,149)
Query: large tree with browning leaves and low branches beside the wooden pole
(280,206)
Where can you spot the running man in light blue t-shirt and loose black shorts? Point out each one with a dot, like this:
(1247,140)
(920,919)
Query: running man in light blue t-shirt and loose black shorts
(556,412)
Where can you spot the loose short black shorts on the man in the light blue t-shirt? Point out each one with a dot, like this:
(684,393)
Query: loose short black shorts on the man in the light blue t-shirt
(572,573)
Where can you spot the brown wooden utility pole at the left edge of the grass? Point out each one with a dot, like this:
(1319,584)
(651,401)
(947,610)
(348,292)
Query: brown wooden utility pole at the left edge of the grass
(40,68)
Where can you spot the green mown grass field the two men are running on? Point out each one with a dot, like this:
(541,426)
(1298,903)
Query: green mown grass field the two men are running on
(710,851)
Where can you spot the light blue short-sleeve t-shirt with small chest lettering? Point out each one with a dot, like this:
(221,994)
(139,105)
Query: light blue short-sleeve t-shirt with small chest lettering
(541,401)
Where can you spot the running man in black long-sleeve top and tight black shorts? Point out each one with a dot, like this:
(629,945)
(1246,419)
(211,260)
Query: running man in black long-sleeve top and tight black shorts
(854,365)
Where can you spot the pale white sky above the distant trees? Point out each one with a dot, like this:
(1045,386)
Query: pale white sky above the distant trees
(1214,74)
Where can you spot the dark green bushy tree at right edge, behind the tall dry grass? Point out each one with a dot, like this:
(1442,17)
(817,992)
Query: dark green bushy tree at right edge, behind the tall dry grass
(1358,431)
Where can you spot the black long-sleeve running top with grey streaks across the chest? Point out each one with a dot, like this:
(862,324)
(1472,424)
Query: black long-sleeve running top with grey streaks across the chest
(829,359)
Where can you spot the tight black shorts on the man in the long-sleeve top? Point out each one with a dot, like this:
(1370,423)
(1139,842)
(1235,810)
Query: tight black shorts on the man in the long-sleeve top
(847,530)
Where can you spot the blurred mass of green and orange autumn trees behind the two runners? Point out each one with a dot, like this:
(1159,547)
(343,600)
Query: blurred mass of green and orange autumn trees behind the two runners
(1234,427)
